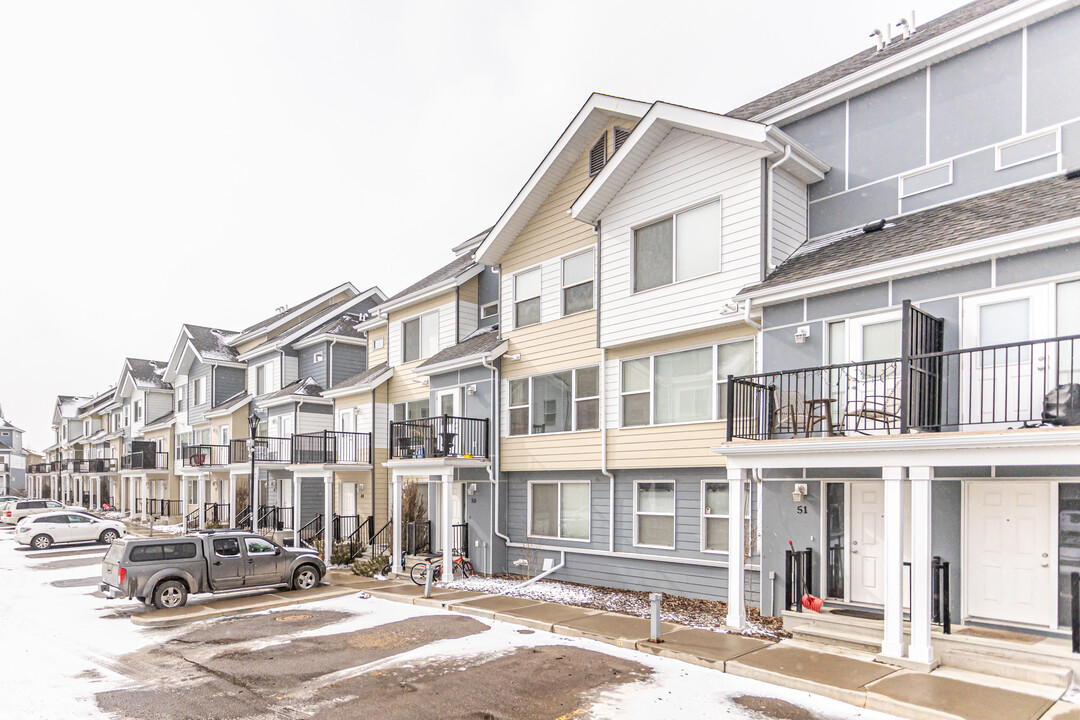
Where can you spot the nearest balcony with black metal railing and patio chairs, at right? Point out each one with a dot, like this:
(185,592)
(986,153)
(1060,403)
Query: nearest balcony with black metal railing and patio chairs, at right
(1019,385)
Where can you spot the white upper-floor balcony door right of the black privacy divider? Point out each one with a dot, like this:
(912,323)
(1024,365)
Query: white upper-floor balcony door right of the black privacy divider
(1007,382)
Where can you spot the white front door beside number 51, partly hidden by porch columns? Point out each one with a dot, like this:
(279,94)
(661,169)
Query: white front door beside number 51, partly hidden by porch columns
(868,541)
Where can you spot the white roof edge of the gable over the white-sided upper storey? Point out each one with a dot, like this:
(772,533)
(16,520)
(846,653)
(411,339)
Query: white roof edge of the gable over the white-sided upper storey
(661,119)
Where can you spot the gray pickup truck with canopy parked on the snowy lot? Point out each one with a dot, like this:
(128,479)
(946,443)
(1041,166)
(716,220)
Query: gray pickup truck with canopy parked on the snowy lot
(164,572)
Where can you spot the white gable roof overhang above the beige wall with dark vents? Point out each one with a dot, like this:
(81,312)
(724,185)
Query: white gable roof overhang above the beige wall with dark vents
(574,141)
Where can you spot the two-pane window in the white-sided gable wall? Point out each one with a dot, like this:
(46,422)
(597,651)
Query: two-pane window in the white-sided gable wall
(681,248)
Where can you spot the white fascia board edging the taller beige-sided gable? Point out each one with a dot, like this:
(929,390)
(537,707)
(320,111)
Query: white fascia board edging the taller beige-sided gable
(509,225)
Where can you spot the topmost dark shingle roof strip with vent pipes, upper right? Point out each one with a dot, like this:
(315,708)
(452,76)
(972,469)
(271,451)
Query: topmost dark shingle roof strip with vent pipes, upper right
(869,58)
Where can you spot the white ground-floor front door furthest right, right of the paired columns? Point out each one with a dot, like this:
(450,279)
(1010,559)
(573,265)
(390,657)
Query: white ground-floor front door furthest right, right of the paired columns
(1009,546)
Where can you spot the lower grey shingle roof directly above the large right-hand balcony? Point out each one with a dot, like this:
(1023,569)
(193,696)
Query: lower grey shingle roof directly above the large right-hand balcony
(984,216)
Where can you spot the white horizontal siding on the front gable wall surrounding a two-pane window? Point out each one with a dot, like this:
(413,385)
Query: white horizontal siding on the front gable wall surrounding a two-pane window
(685,170)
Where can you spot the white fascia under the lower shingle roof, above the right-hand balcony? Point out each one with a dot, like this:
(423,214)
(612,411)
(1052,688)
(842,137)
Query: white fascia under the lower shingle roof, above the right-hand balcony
(1022,241)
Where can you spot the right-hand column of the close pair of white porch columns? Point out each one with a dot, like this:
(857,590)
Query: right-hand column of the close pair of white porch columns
(922,650)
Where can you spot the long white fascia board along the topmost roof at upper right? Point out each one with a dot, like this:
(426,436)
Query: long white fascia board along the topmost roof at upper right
(976,33)
